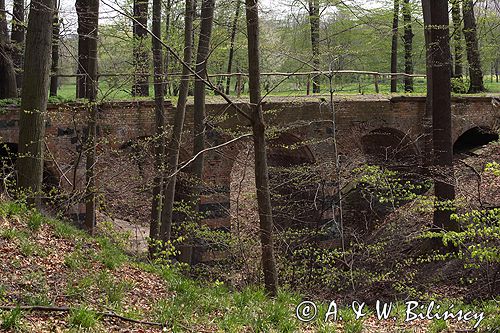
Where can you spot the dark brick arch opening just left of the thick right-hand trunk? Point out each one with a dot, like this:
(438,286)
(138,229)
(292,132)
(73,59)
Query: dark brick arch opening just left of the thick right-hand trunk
(388,145)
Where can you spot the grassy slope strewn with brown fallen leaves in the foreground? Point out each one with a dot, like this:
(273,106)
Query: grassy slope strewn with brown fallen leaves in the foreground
(93,275)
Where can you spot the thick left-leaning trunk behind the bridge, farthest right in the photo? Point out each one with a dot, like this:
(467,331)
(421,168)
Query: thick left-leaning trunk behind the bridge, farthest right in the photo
(471,44)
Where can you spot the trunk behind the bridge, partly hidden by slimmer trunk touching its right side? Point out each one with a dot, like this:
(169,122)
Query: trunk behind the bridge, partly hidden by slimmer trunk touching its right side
(84,31)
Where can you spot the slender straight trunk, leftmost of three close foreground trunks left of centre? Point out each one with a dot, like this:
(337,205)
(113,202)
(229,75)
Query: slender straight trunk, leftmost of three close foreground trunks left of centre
(159,122)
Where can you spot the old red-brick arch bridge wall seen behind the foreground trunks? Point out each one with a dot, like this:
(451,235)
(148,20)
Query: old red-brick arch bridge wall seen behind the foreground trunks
(364,124)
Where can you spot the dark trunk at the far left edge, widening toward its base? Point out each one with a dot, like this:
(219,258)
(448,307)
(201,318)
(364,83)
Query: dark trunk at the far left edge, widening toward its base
(8,87)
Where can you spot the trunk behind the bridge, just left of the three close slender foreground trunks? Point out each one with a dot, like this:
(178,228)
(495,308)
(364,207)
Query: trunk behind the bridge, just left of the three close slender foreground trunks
(141,63)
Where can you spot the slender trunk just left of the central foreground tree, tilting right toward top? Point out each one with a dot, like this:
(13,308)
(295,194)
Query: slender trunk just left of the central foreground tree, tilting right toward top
(207,15)
